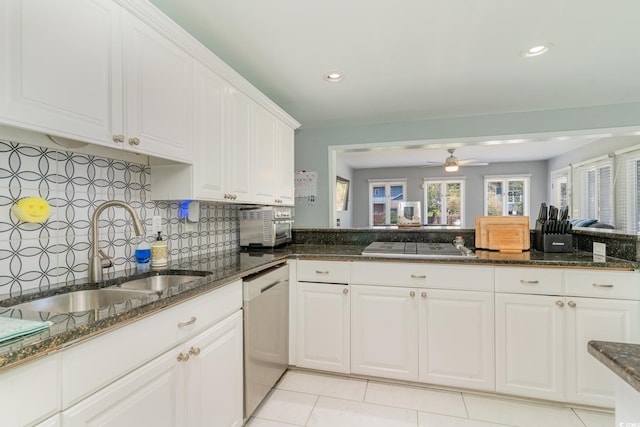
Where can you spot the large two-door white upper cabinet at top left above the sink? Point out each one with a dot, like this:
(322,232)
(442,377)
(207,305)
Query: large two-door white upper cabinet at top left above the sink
(91,71)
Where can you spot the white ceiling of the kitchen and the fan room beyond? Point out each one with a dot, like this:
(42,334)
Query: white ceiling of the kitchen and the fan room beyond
(419,59)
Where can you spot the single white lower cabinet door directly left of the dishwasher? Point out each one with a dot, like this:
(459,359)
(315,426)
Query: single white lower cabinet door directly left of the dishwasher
(214,376)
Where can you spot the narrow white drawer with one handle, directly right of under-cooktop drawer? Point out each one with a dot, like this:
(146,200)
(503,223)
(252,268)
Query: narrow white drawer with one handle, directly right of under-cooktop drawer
(545,281)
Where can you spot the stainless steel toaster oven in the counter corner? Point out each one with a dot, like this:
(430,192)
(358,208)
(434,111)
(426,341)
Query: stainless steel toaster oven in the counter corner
(266,226)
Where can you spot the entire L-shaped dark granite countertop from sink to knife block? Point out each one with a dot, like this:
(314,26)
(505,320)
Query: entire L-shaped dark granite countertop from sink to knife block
(219,270)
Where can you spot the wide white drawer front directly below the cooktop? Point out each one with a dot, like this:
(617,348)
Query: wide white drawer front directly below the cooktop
(422,275)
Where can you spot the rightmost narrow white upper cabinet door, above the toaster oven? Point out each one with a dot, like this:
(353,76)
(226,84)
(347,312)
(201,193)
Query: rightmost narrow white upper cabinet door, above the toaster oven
(284,169)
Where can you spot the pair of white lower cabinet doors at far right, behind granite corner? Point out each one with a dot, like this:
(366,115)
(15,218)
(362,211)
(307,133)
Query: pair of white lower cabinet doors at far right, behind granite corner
(541,345)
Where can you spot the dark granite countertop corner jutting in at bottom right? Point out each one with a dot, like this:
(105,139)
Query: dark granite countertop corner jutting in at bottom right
(622,358)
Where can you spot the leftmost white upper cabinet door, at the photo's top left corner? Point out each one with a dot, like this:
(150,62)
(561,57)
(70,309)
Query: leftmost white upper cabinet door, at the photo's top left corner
(56,63)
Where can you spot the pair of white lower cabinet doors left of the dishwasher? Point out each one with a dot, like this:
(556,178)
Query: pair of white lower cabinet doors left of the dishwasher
(197,384)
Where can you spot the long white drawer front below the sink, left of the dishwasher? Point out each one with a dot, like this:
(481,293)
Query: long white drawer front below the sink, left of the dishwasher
(94,363)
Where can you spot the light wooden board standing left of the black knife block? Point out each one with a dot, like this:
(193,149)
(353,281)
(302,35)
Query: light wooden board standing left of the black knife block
(507,234)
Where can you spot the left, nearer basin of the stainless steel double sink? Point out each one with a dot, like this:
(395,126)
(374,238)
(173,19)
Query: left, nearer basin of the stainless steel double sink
(91,299)
